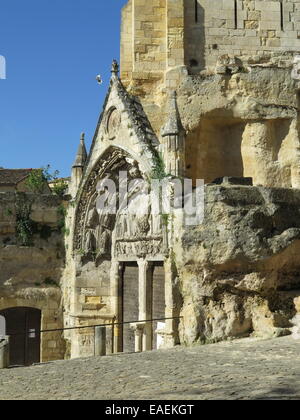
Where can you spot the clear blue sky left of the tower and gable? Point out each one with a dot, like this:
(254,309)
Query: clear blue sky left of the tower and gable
(53,49)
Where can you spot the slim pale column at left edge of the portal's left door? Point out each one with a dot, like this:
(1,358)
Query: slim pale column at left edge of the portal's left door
(116,301)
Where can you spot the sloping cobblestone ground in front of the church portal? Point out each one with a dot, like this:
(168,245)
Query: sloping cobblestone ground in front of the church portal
(243,369)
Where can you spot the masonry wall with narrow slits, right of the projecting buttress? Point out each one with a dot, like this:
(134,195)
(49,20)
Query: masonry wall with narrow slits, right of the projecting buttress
(240,28)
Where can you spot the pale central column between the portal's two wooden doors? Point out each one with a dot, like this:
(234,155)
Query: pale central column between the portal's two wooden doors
(145,301)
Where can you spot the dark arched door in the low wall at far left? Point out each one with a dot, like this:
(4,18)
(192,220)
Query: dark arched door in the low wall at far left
(23,326)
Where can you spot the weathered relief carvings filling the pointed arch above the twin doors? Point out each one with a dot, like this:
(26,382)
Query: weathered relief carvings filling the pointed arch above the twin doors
(117,222)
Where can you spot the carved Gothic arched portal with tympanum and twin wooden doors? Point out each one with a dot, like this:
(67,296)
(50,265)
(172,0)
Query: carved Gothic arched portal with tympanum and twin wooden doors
(118,234)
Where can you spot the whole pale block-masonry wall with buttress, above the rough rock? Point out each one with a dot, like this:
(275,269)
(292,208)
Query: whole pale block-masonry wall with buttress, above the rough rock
(158,35)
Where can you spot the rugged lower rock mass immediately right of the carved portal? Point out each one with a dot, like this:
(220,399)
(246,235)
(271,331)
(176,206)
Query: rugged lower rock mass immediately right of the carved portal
(239,271)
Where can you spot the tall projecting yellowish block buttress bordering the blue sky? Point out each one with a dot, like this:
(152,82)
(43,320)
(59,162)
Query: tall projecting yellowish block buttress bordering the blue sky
(152,40)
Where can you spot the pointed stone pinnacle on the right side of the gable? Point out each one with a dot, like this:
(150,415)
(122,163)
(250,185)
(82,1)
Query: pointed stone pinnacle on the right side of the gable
(173,135)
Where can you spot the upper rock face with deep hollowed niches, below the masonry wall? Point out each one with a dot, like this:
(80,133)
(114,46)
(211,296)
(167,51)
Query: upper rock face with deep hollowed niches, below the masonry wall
(243,124)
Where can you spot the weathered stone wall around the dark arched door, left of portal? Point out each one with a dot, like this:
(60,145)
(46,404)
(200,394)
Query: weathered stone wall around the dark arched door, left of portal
(30,273)
